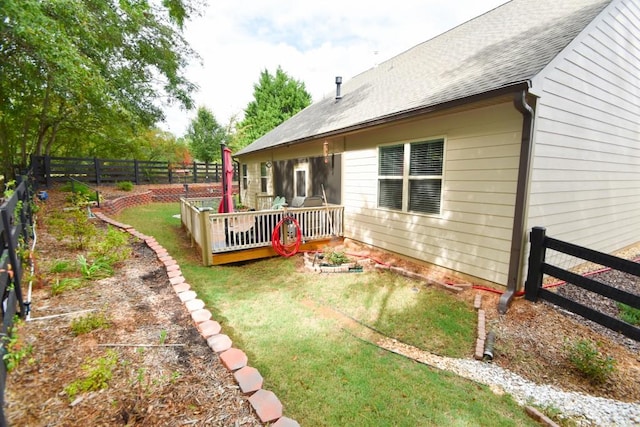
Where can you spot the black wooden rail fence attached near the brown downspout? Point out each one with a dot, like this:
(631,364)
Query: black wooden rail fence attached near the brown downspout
(538,268)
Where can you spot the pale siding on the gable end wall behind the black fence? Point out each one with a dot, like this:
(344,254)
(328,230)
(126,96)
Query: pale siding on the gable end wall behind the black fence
(585,184)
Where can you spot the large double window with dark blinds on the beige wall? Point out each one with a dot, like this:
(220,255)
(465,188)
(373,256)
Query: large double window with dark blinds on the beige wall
(417,187)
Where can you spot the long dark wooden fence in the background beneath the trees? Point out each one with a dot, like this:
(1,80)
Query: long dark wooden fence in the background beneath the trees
(48,170)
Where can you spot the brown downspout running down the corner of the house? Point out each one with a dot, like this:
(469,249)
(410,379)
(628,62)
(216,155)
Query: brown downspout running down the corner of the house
(519,232)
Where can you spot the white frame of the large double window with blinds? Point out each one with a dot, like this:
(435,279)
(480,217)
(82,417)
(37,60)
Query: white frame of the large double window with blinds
(407,178)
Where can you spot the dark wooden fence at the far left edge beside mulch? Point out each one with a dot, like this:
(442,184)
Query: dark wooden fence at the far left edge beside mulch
(16,230)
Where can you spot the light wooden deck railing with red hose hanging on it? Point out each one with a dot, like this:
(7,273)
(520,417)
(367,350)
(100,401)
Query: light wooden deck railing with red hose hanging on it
(254,229)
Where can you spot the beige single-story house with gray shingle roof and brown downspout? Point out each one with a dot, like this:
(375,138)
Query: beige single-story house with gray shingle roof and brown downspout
(528,115)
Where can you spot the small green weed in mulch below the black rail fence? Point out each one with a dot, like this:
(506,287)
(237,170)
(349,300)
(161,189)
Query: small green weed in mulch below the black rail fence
(586,357)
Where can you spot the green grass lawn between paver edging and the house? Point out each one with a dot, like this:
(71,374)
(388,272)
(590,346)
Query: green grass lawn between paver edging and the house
(321,372)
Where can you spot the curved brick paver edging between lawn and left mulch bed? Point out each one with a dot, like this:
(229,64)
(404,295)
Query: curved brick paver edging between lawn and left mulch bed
(264,402)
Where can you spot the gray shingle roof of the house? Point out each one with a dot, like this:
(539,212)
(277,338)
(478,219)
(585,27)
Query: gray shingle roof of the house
(507,45)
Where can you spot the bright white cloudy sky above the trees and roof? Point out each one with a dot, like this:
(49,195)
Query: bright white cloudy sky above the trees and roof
(313,41)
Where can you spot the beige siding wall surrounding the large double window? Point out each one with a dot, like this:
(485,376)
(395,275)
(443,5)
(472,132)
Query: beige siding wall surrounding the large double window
(472,234)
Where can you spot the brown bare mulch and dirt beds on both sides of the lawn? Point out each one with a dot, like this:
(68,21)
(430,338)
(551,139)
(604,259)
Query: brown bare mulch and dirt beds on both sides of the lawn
(166,374)
